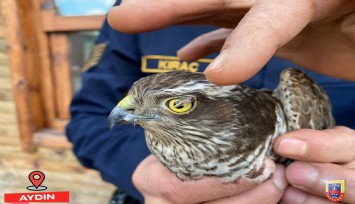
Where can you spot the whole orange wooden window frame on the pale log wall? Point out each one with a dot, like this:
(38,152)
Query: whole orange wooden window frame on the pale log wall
(40,67)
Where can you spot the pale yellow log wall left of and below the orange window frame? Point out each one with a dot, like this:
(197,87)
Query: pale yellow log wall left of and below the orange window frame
(63,172)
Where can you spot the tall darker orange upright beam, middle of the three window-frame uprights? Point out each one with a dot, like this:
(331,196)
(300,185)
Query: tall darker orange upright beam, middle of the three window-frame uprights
(39,71)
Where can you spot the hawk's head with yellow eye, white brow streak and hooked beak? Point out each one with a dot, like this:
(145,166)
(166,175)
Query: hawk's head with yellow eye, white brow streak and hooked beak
(177,104)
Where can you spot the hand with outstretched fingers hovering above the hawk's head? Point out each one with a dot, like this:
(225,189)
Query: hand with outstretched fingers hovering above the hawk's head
(315,34)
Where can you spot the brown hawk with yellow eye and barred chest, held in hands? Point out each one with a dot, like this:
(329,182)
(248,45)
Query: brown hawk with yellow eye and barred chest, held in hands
(196,128)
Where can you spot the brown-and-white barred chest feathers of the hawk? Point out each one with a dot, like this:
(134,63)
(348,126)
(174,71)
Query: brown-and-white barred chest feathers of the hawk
(191,161)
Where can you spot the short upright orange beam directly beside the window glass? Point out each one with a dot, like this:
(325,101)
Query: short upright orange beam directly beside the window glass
(59,45)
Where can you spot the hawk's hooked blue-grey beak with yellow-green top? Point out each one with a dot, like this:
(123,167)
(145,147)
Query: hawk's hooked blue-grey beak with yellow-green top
(123,113)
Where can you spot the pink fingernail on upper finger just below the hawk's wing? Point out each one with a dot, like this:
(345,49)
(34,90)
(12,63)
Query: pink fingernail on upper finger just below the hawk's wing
(292,147)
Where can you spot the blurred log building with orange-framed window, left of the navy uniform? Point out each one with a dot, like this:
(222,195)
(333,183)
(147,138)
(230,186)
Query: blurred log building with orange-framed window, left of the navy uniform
(43,46)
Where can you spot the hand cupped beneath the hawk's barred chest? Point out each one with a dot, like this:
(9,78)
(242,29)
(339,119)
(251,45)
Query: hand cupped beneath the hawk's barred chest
(159,186)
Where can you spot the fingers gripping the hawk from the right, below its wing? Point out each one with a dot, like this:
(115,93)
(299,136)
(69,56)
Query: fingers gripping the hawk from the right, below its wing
(321,155)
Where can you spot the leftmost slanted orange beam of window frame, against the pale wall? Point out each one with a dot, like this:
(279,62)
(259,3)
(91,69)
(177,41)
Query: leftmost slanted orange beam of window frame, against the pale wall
(21,85)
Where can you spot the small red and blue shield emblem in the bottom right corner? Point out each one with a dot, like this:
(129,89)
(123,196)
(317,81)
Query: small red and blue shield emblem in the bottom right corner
(335,190)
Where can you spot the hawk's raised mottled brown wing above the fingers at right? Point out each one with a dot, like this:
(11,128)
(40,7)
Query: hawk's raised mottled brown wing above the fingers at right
(305,103)
